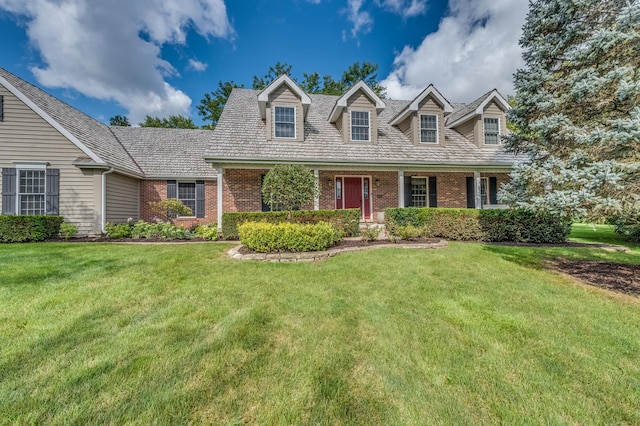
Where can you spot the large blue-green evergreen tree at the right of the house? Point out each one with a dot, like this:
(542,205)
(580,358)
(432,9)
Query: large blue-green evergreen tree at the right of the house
(577,114)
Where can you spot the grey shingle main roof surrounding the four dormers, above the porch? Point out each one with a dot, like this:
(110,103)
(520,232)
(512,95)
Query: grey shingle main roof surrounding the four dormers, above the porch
(241,135)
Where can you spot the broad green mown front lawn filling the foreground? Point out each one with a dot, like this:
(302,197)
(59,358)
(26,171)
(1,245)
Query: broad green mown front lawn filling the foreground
(176,334)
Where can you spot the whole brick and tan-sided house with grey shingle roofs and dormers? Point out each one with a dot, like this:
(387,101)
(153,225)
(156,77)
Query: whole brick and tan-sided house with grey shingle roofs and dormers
(365,152)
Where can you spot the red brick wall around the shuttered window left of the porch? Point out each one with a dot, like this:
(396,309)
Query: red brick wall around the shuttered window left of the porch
(156,190)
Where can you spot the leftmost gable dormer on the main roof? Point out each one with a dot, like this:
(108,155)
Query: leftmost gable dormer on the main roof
(284,106)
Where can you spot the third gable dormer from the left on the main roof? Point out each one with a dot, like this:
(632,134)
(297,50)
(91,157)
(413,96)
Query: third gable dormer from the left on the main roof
(422,121)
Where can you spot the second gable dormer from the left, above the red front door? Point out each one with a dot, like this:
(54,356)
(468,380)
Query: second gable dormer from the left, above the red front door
(355,114)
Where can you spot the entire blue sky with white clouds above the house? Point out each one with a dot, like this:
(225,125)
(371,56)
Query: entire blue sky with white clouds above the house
(159,57)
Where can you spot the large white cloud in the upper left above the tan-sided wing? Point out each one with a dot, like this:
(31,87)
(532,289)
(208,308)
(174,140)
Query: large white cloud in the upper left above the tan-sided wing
(96,47)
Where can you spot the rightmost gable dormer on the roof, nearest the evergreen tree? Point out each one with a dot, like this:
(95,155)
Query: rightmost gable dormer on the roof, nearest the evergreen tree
(483,121)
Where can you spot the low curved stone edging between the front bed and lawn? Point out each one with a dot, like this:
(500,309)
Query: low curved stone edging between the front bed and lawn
(313,256)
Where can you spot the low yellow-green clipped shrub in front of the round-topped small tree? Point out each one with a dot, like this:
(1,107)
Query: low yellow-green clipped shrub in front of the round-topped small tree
(265,237)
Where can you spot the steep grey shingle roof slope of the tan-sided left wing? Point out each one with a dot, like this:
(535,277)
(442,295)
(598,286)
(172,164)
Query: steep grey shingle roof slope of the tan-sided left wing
(90,132)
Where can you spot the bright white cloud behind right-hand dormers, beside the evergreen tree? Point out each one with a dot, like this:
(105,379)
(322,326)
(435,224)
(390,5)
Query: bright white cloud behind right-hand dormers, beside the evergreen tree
(474,50)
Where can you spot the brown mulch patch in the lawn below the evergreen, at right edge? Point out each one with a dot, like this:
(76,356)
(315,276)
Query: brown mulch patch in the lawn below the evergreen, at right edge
(620,277)
